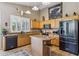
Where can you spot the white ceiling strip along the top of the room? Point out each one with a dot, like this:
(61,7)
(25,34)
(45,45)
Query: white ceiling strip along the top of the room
(38,4)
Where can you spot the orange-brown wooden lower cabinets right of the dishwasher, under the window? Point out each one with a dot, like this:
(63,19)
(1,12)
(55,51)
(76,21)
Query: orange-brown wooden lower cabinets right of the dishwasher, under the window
(24,39)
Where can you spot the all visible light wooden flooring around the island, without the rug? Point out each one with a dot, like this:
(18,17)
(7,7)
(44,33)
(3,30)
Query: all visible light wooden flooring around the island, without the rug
(54,51)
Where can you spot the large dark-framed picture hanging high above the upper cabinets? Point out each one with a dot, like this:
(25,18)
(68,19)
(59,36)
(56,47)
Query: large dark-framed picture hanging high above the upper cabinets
(55,11)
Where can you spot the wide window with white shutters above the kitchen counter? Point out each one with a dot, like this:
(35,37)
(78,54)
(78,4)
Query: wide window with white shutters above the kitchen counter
(18,24)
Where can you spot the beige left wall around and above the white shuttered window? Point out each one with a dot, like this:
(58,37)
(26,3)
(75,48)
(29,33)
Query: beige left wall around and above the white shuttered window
(7,9)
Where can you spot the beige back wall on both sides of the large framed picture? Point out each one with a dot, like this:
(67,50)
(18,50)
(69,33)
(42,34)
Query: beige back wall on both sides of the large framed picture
(68,7)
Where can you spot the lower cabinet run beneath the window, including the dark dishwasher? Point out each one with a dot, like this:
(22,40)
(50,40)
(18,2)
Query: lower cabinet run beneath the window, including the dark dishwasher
(21,39)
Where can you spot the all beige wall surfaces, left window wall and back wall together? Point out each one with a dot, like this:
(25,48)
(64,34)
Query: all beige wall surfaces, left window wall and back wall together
(7,9)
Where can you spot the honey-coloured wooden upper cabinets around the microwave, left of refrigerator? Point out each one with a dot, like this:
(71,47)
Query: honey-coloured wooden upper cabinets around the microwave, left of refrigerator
(40,25)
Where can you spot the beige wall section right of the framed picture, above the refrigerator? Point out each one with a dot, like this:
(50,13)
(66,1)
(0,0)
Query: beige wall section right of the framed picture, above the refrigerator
(70,7)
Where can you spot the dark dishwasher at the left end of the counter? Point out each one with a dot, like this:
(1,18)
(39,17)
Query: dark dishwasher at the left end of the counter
(10,42)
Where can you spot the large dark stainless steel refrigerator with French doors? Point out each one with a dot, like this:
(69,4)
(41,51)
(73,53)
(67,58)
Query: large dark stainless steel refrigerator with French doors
(69,36)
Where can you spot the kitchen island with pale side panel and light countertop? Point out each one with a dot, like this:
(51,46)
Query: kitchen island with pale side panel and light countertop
(39,45)
